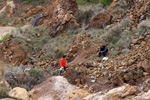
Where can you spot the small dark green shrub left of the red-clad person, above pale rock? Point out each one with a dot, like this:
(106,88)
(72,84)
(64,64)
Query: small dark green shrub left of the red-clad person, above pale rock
(36,73)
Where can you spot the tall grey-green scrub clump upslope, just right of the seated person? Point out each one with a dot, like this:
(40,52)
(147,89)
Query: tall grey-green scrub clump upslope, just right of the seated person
(119,34)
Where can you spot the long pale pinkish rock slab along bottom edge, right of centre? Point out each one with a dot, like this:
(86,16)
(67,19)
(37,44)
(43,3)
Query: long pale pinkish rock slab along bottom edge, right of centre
(114,94)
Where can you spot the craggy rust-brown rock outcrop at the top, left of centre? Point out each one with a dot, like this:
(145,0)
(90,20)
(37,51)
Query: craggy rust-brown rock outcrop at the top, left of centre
(59,16)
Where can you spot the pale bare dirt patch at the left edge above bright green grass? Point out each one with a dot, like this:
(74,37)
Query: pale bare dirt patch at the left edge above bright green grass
(5,30)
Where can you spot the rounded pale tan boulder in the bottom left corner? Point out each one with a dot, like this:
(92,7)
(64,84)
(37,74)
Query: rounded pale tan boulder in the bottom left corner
(19,93)
